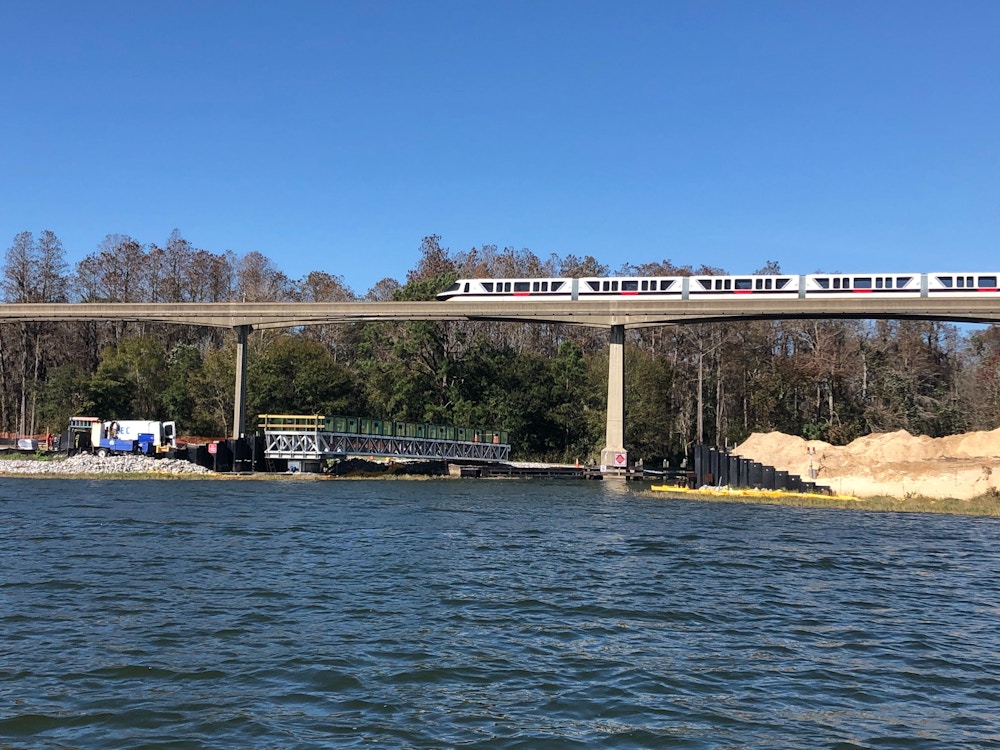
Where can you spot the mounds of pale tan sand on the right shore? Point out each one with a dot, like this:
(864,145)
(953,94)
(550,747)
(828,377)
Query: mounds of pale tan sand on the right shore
(895,464)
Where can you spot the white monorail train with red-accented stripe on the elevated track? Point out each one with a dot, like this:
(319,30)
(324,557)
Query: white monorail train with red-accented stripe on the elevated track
(815,286)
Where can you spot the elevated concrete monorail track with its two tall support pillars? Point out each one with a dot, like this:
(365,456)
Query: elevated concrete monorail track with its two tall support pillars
(616,315)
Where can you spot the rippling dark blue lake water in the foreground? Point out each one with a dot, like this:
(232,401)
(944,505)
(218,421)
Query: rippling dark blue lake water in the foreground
(486,614)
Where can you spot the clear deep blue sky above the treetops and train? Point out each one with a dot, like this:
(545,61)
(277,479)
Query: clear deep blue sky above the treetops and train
(843,135)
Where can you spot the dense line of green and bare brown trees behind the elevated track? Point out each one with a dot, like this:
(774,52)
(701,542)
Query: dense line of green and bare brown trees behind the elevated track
(546,384)
